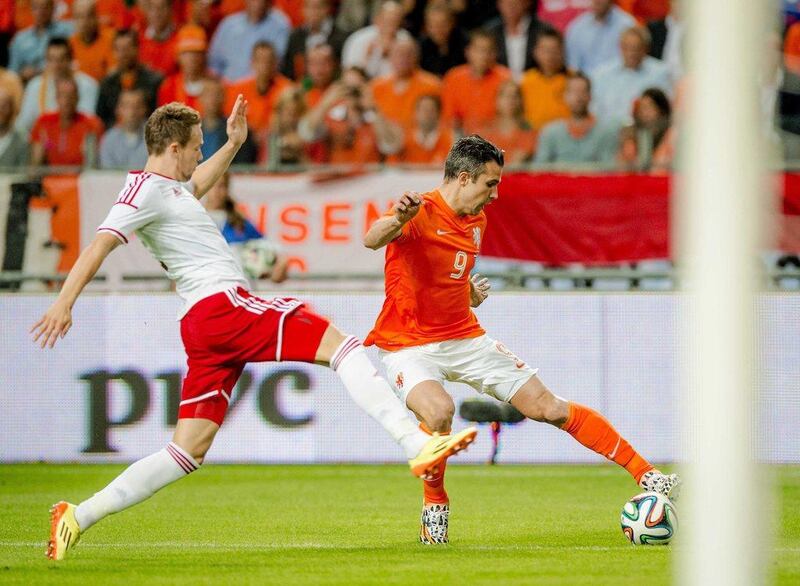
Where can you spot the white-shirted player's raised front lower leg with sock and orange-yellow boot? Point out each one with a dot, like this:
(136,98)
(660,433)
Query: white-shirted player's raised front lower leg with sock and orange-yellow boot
(346,355)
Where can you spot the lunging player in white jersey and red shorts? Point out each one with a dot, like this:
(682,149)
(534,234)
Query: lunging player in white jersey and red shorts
(223,326)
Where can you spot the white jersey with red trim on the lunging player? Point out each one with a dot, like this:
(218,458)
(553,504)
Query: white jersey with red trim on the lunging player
(175,227)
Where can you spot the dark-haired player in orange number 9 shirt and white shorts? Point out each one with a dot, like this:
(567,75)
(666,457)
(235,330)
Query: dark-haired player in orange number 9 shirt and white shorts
(427,332)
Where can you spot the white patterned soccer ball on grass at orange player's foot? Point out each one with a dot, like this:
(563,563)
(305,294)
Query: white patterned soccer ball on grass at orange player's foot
(649,518)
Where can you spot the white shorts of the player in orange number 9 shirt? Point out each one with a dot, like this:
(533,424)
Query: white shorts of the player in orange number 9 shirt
(482,363)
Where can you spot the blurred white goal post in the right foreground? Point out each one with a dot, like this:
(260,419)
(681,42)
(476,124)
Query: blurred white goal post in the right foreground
(721,196)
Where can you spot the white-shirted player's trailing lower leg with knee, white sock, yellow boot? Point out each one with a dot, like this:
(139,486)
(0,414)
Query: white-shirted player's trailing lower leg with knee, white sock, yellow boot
(140,481)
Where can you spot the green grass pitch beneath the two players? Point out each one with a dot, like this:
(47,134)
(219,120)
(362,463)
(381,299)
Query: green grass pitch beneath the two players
(352,525)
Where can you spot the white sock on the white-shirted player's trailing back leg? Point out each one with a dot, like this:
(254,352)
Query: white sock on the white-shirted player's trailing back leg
(138,482)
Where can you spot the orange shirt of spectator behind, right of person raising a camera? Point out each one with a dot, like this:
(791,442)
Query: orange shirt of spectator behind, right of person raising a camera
(396,100)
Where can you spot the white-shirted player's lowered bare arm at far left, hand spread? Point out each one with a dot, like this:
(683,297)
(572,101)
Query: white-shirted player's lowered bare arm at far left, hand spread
(57,321)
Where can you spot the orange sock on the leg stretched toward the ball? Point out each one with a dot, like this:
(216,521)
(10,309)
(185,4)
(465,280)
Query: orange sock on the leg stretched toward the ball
(595,432)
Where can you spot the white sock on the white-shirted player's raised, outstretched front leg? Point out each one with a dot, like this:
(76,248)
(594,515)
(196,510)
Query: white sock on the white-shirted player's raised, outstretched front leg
(374,395)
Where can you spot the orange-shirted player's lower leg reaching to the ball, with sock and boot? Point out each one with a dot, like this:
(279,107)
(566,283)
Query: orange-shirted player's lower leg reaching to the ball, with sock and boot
(587,426)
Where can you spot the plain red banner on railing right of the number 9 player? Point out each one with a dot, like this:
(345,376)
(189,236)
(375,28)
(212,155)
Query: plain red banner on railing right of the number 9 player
(596,220)
